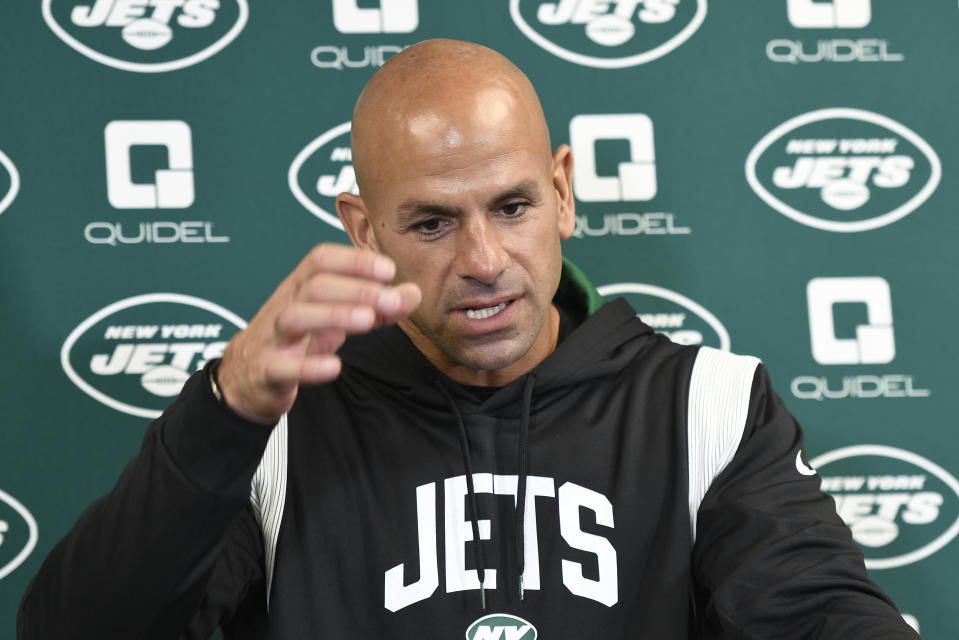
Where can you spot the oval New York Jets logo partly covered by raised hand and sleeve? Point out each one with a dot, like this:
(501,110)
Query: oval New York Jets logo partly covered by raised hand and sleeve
(135,354)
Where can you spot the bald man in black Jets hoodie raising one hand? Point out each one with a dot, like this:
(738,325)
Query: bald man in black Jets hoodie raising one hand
(492,452)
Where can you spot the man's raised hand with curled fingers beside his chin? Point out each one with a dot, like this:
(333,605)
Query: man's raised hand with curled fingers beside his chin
(335,291)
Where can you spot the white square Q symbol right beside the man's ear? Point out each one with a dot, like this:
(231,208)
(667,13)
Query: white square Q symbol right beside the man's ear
(636,179)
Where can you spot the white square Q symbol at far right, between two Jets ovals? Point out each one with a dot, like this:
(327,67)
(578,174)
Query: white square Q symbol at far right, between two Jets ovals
(874,342)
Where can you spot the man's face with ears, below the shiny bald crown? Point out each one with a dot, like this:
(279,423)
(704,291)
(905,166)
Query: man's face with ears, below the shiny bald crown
(472,214)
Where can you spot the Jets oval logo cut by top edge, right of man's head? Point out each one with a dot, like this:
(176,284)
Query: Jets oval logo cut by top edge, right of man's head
(608,34)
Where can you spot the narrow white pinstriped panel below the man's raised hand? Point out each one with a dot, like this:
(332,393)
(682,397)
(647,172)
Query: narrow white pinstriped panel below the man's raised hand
(268,495)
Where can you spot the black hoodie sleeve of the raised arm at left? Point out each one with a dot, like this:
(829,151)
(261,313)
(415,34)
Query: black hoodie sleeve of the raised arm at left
(138,561)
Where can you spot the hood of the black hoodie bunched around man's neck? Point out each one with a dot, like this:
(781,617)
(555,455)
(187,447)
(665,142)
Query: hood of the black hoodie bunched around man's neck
(610,335)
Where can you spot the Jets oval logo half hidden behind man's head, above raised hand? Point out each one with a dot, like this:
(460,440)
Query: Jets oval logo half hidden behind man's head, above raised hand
(323,170)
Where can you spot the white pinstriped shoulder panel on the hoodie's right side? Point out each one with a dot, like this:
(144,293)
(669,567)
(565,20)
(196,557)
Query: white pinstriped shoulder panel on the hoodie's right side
(719,391)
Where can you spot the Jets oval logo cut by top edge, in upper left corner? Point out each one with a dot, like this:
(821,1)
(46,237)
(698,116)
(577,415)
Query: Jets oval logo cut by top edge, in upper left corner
(146,36)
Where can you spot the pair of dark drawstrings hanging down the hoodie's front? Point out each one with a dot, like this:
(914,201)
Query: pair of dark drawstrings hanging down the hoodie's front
(519,523)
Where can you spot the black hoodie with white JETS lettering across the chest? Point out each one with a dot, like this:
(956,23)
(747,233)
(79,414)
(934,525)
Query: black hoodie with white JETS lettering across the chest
(662,493)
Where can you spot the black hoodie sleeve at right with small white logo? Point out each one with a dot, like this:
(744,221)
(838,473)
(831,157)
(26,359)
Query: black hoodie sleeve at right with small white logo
(772,559)
